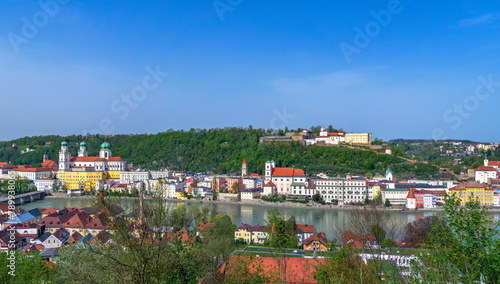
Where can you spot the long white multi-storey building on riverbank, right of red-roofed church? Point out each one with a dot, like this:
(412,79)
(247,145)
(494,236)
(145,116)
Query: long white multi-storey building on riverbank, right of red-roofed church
(344,190)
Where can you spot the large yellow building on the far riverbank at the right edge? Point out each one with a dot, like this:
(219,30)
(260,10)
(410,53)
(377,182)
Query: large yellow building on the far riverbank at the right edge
(482,193)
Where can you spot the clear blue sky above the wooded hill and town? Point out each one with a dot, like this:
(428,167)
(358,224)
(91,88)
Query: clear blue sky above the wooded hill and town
(411,69)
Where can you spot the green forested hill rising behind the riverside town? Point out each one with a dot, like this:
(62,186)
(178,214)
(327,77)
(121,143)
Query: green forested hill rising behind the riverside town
(217,150)
